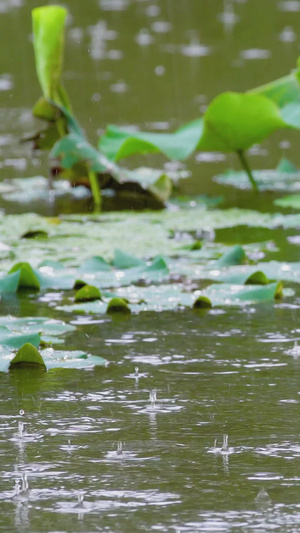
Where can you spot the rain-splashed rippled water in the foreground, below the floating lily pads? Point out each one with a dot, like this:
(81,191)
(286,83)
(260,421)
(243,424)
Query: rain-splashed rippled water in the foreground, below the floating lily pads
(219,374)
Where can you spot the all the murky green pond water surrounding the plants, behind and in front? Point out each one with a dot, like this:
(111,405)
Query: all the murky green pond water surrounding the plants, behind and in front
(137,445)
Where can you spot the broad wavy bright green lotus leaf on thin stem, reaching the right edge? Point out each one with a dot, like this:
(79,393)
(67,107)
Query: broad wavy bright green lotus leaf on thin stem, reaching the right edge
(233,122)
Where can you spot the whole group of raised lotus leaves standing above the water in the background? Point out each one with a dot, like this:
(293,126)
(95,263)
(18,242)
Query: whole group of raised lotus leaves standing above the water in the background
(233,122)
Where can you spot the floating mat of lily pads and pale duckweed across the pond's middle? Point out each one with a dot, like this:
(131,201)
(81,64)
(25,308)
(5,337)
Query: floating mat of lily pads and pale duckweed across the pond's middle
(191,275)
